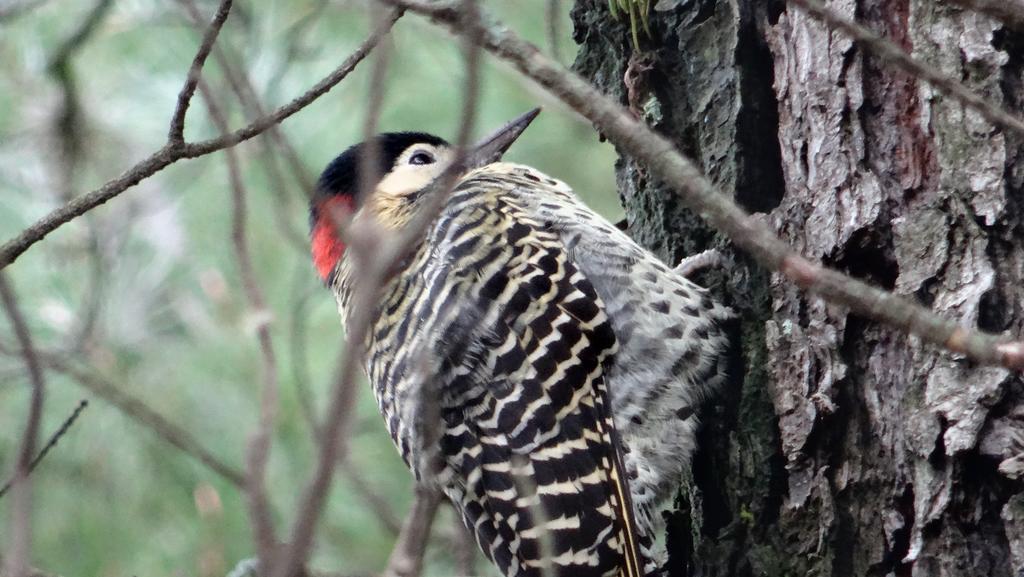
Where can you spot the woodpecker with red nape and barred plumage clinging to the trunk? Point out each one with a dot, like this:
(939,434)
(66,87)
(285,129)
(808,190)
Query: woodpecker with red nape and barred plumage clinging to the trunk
(528,357)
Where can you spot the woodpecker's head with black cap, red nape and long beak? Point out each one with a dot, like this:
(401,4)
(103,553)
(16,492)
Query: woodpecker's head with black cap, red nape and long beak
(405,166)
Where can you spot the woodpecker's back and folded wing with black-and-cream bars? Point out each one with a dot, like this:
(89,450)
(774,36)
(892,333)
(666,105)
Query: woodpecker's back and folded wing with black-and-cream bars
(492,323)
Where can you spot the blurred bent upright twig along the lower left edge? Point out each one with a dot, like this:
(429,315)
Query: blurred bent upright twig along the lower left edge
(21,523)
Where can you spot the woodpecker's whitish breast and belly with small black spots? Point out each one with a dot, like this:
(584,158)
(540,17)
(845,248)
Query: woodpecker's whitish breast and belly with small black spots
(672,341)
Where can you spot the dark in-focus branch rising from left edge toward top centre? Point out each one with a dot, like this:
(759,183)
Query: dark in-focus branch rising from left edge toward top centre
(173,153)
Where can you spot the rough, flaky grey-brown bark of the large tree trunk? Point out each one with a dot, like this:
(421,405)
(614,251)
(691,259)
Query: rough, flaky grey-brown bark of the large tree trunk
(843,448)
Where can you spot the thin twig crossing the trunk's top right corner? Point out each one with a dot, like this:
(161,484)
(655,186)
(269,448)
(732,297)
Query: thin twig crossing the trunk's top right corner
(895,56)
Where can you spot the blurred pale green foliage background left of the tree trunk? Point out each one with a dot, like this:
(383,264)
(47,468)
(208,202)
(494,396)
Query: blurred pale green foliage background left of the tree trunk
(144,295)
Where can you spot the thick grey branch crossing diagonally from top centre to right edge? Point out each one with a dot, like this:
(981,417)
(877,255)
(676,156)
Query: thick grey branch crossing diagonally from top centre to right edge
(700,195)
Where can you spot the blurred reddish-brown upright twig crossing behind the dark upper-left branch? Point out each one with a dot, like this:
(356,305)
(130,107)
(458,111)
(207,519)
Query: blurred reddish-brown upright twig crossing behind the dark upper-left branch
(260,444)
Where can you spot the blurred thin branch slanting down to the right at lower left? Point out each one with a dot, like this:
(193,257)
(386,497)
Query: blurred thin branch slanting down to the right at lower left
(139,411)
